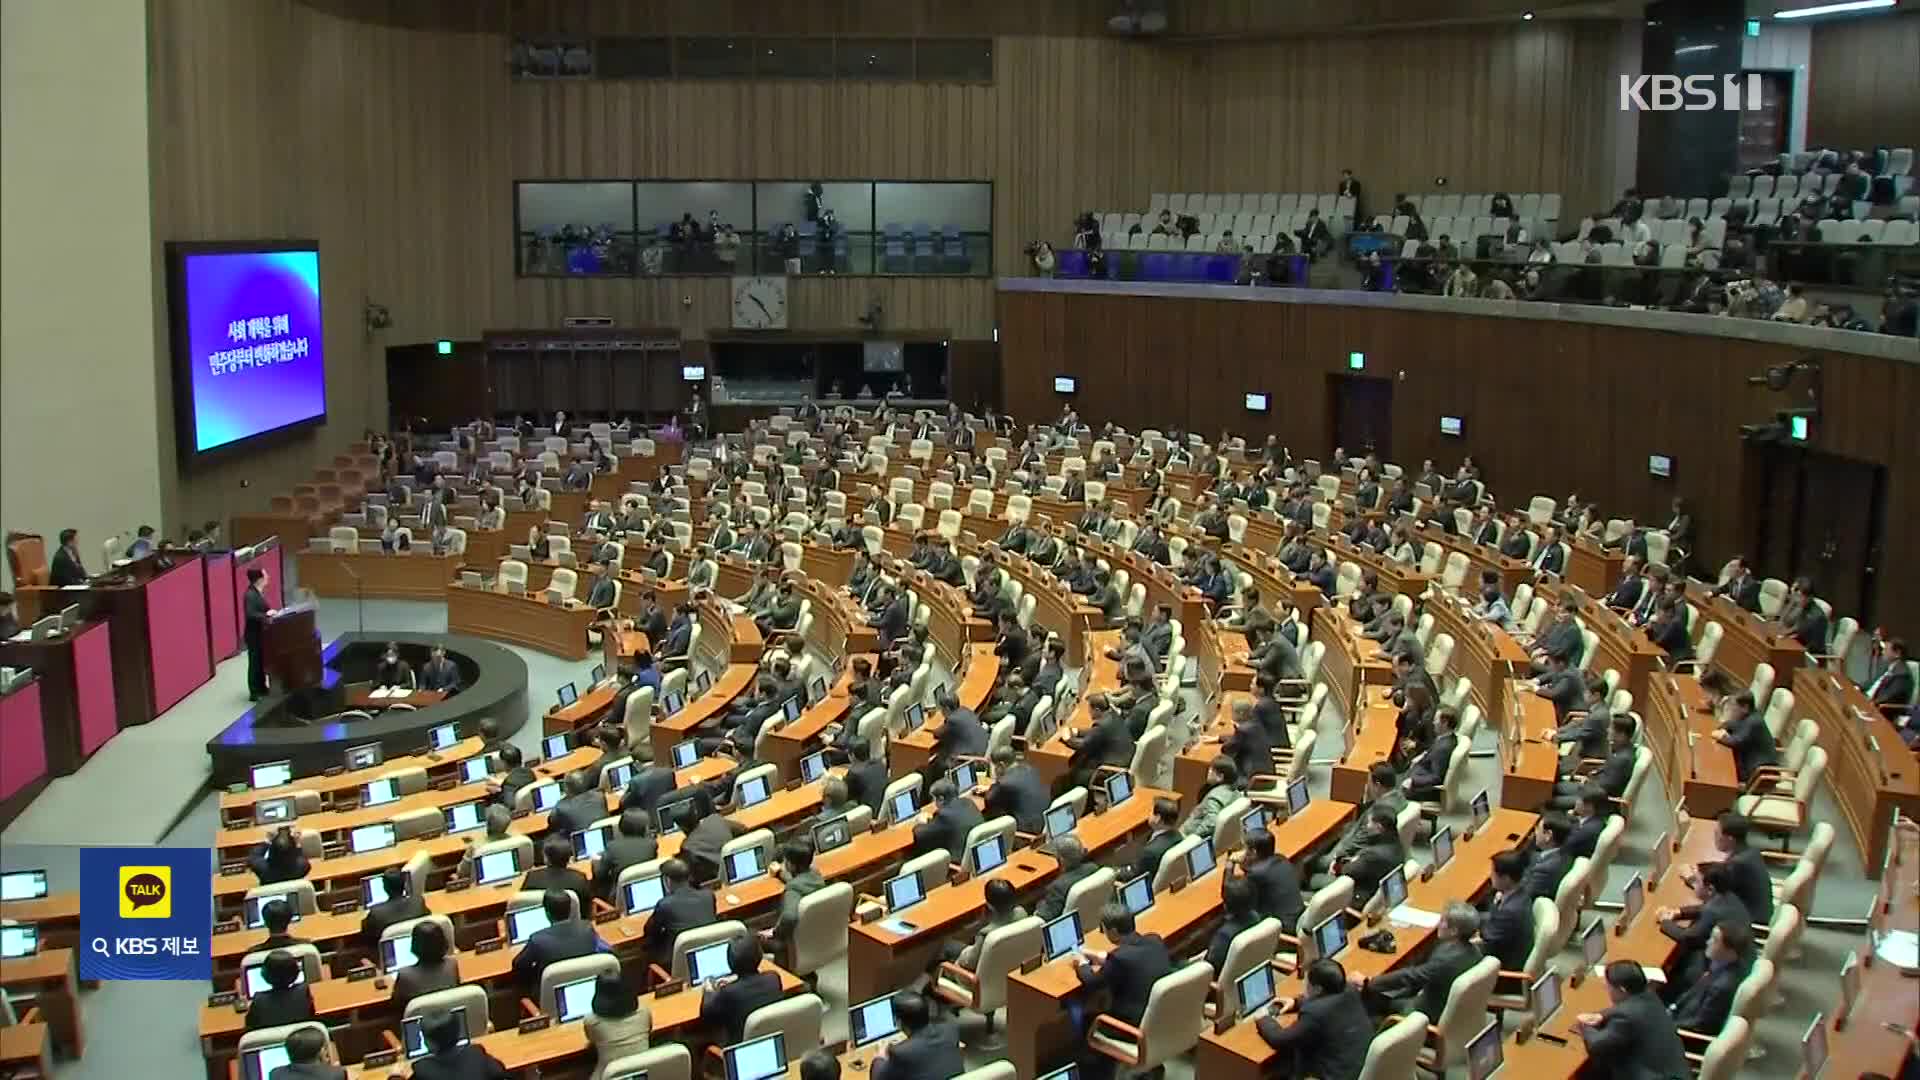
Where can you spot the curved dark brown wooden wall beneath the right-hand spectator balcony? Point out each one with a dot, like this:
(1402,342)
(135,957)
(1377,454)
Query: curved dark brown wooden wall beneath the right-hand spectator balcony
(1550,408)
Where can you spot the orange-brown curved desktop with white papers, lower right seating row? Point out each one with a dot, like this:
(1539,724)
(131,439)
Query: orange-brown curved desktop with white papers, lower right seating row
(1241,1052)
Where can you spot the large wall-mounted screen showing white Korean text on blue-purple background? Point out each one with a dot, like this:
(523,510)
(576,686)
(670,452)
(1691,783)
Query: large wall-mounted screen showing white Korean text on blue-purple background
(249,343)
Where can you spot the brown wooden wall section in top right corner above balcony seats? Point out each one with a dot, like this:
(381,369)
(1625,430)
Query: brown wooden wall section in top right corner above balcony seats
(1861,91)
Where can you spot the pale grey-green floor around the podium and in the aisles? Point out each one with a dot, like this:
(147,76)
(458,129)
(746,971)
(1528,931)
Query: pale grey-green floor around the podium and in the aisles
(149,787)
